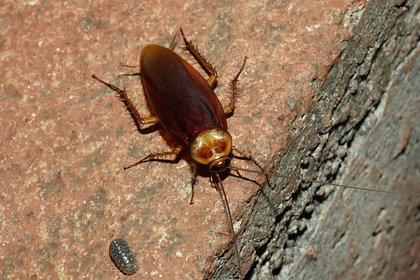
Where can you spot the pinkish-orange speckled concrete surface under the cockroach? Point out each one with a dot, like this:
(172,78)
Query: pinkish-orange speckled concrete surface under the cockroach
(65,138)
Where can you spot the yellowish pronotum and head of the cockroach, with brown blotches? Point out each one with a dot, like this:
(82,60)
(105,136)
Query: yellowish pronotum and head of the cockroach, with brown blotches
(212,148)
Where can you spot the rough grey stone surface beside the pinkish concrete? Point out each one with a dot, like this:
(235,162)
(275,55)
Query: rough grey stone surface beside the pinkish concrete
(361,132)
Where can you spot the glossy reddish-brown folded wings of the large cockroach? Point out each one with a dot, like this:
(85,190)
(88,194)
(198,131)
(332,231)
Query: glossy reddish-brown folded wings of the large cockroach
(179,96)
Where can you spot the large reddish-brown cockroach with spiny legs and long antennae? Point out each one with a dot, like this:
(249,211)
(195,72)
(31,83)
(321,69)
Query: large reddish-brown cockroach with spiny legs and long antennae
(184,103)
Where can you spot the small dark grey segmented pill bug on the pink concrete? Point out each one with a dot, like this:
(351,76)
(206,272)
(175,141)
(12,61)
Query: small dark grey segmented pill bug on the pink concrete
(122,256)
